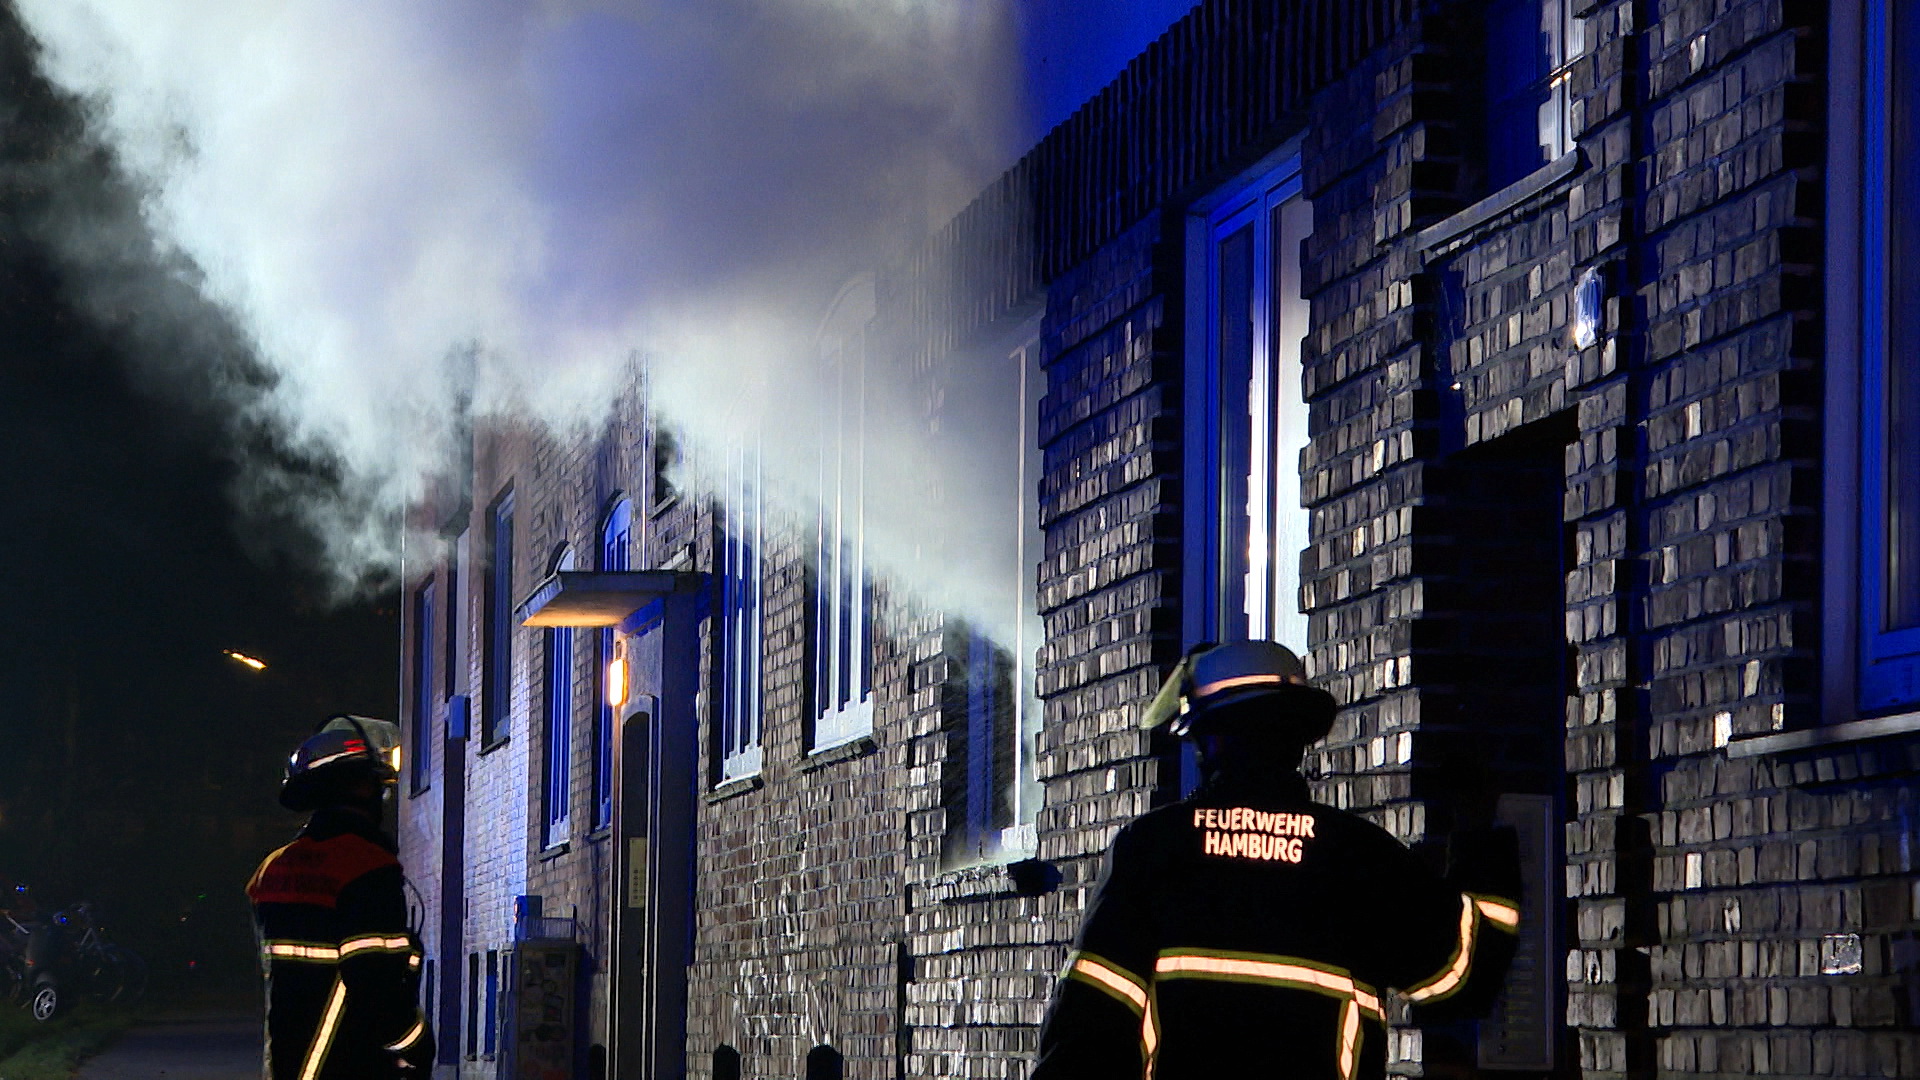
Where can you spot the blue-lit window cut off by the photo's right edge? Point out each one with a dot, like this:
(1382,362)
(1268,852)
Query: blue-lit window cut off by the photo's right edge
(1888,391)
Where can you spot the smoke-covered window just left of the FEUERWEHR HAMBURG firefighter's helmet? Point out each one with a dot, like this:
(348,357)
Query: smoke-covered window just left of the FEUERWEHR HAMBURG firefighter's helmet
(990,787)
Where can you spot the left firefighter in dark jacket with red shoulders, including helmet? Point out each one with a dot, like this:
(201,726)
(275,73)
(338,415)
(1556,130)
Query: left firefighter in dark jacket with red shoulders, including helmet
(343,964)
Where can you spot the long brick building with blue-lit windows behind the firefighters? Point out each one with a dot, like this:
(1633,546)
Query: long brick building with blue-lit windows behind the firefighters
(1566,426)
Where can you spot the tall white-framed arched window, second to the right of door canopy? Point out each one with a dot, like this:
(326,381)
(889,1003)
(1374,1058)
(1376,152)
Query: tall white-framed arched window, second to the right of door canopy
(844,587)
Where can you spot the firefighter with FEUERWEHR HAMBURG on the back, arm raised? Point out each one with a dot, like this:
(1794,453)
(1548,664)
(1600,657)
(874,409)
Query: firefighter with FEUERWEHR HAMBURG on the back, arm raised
(1251,931)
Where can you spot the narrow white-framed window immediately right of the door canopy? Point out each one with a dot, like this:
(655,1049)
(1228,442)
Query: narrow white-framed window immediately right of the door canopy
(738,714)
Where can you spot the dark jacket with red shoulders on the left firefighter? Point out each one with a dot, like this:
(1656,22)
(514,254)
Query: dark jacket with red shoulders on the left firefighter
(343,968)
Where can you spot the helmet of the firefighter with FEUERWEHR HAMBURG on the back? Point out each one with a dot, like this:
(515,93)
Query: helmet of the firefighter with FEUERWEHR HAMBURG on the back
(1241,683)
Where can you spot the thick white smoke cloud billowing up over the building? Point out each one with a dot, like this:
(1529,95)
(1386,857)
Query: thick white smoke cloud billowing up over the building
(381,189)
